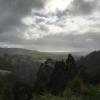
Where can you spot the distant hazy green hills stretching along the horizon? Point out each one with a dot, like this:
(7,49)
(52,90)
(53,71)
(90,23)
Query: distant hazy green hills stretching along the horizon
(37,55)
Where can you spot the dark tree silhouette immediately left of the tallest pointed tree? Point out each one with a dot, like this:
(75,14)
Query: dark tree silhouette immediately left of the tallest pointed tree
(58,79)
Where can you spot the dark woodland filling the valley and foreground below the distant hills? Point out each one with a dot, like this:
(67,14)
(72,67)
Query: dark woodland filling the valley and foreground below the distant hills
(23,78)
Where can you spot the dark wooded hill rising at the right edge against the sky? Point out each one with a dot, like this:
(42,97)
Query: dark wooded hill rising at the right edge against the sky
(91,62)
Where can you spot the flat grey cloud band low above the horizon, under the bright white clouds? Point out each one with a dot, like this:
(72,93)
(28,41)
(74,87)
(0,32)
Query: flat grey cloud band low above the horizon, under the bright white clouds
(88,41)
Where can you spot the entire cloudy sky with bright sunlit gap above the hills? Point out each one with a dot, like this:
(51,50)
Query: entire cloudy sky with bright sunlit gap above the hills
(50,25)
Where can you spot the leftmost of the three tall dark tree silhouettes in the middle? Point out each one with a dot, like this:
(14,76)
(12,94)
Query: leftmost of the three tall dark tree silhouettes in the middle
(44,75)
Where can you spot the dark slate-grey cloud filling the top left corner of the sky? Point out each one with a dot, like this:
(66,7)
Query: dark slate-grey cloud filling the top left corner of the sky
(11,11)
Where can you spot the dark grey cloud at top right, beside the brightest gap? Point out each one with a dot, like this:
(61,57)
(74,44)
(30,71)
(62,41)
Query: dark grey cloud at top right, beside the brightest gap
(80,8)
